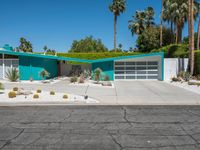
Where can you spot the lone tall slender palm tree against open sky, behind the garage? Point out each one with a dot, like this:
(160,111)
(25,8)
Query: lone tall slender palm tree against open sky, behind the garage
(117,7)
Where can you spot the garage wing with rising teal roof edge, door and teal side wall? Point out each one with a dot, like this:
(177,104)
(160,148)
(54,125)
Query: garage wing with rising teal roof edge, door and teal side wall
(134,67)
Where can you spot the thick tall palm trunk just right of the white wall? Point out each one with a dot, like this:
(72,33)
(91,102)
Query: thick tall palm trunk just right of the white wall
(191,36)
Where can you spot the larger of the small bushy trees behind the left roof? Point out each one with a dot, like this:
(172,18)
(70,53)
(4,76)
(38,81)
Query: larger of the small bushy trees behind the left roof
(25,46)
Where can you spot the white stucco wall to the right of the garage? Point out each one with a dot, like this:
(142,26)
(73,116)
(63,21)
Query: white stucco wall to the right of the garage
(172,66)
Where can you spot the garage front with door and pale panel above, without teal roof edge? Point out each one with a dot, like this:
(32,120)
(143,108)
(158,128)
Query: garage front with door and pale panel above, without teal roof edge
(143,68)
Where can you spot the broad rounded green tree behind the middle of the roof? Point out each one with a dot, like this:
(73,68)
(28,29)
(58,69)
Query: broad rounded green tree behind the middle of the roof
(87,45)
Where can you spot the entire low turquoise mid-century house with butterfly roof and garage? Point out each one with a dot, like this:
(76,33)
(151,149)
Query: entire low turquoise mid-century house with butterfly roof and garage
(135,67)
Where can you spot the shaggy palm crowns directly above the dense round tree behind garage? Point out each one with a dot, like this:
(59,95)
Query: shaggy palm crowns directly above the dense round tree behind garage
(142,20)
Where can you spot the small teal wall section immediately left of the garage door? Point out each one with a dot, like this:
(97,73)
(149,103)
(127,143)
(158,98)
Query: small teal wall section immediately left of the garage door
(107,67)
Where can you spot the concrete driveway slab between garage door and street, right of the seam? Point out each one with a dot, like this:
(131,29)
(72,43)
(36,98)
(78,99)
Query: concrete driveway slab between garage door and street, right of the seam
(153,92)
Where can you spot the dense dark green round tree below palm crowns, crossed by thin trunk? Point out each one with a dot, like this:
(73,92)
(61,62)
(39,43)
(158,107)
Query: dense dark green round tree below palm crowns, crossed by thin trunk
(149,39)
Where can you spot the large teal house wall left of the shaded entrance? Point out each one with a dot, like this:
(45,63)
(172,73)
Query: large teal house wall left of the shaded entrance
(32,66)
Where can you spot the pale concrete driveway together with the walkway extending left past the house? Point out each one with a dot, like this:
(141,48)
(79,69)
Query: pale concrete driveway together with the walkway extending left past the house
(126,93)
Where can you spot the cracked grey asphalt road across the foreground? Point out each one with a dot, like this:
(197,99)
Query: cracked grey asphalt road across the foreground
(100,128)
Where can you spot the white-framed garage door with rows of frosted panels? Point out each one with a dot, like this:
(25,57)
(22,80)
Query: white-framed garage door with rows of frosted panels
(136,70)
